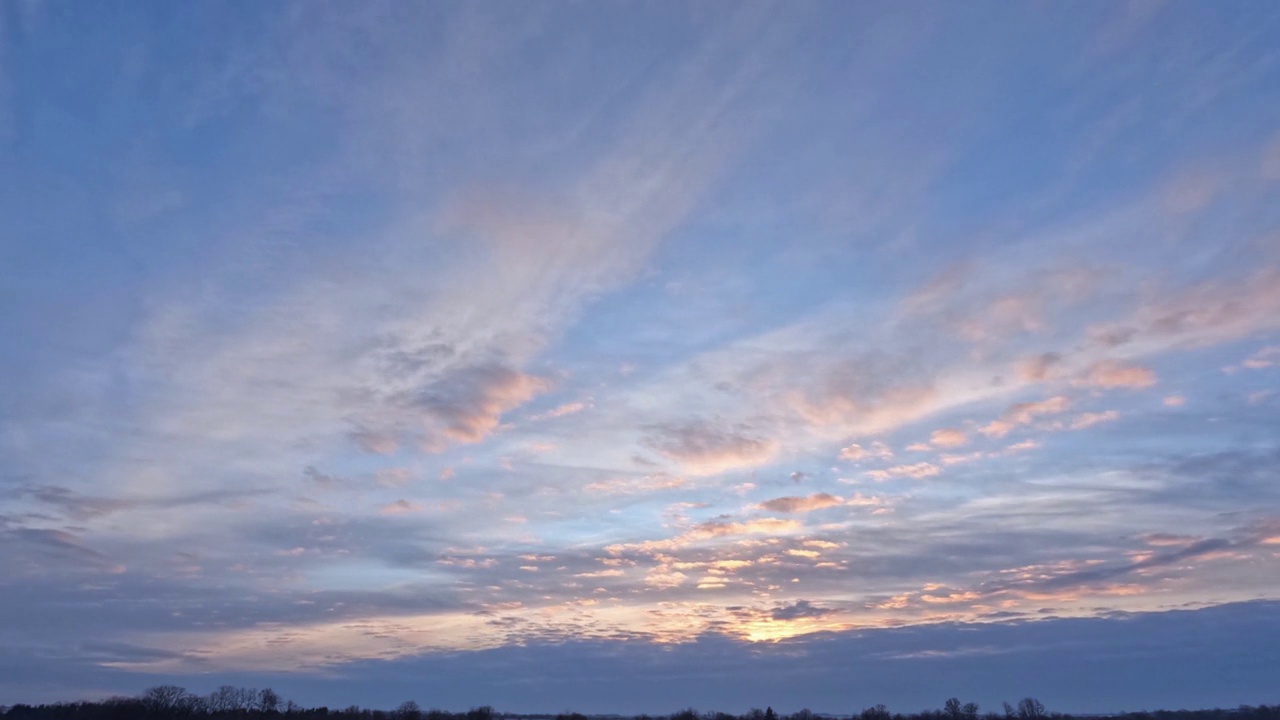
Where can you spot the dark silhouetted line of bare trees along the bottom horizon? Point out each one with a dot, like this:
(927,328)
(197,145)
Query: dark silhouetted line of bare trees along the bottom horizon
(171,703)
